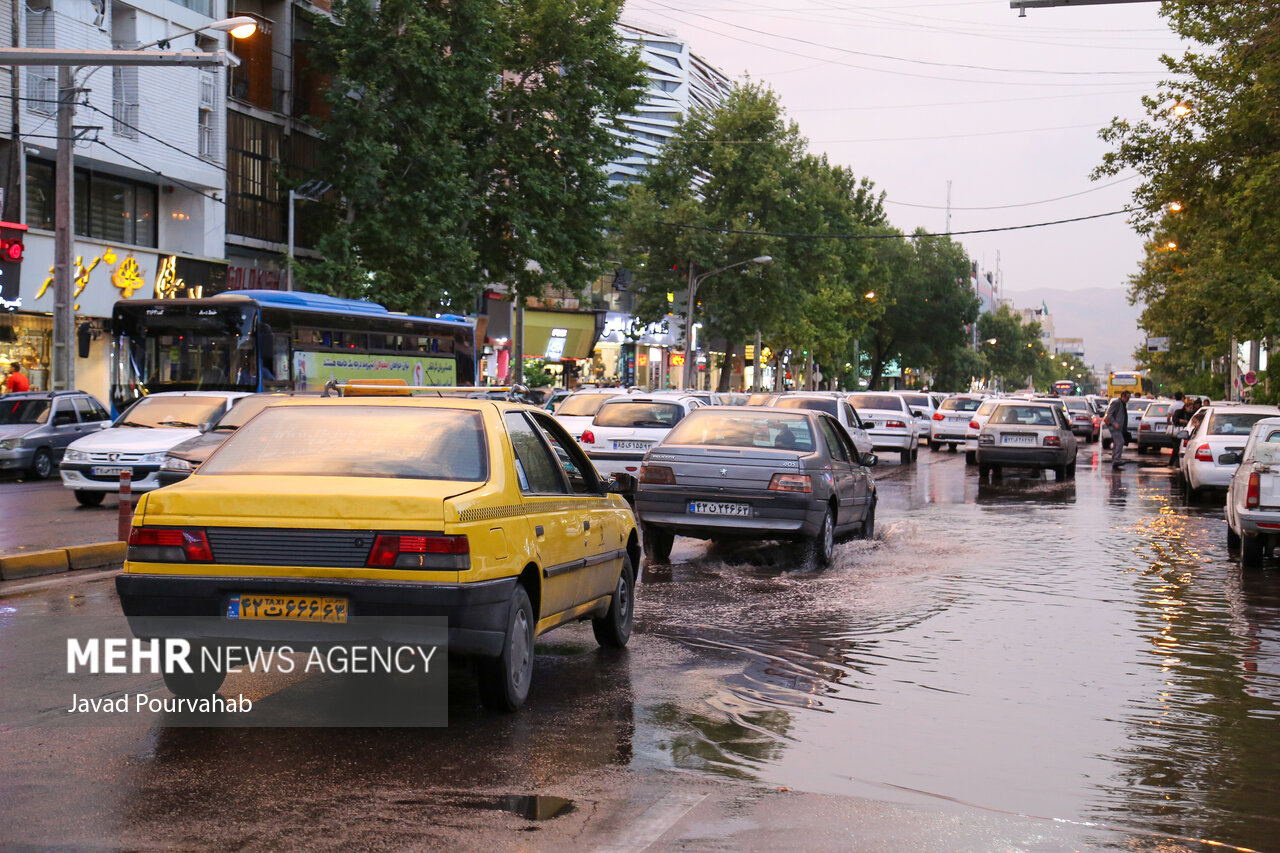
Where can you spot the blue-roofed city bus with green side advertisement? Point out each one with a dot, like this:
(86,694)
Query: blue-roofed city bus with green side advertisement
(280,341)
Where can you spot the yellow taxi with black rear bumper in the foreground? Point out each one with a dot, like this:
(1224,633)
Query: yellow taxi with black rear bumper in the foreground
(322,516)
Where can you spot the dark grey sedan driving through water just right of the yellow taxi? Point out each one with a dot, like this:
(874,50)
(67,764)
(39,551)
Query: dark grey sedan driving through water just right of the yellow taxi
(746,473)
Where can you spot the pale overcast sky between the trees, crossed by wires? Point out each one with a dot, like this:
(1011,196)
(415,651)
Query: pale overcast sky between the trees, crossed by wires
(915,94)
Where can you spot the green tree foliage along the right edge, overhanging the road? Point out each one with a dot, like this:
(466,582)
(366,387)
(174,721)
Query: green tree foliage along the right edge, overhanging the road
(1212,271)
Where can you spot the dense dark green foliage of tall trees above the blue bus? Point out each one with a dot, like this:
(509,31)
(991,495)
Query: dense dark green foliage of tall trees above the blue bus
(467,142)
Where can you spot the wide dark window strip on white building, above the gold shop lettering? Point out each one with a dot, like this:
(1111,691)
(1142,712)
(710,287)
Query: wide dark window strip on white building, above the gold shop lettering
(107,208)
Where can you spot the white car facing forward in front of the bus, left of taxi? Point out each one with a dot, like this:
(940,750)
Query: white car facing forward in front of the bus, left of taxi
(139,441)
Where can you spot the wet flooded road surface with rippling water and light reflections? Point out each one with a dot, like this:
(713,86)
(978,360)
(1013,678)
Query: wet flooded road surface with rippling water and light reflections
(1022,665)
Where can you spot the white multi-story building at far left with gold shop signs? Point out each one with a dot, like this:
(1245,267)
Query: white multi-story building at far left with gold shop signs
(149,170)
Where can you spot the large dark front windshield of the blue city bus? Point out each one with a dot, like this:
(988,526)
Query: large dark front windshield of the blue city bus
(185,348)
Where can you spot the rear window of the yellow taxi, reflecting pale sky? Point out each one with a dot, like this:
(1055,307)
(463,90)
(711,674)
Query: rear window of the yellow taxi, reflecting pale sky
(406,443)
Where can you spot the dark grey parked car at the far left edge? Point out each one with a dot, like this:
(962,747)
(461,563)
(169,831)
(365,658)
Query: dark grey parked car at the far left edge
(38,426)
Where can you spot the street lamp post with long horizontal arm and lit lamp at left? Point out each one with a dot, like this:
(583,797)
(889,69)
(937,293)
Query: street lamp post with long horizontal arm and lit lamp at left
(68,63)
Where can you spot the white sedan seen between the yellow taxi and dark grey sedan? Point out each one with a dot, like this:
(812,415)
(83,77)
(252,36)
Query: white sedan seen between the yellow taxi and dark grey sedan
(625,428)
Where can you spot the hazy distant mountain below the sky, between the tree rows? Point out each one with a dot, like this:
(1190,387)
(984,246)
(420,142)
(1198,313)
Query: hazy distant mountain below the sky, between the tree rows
(1101,316)
